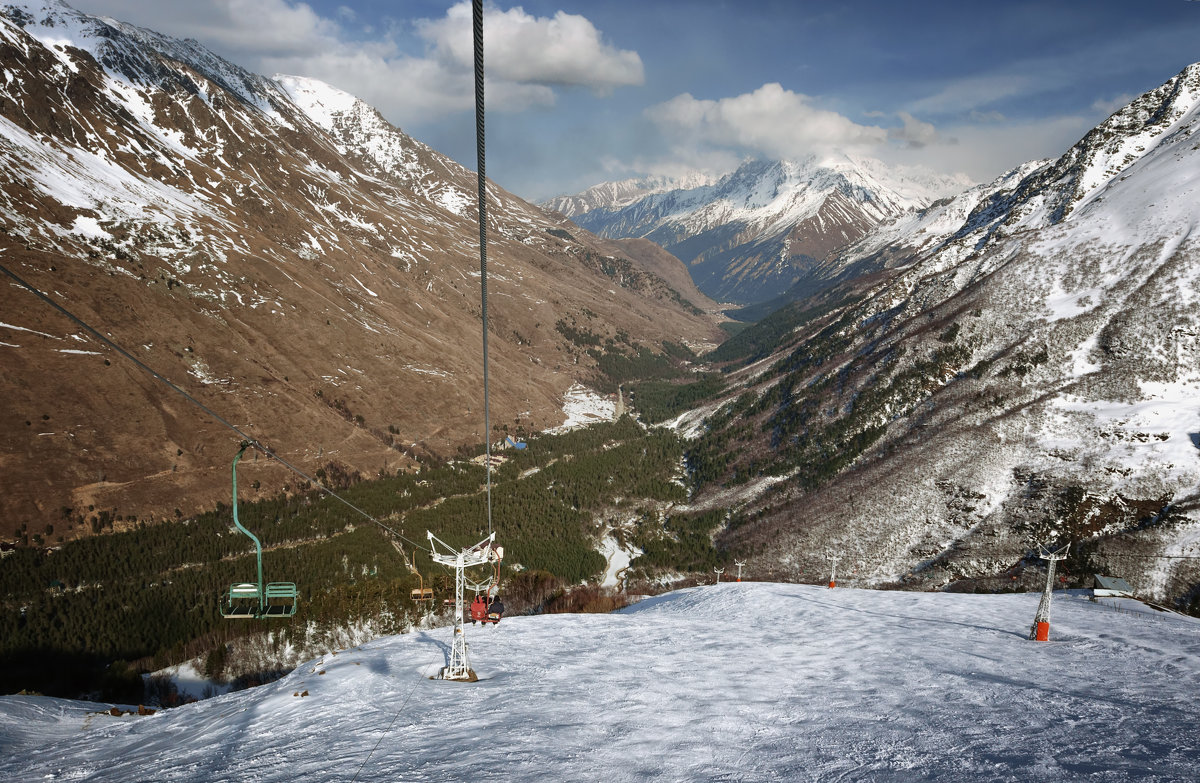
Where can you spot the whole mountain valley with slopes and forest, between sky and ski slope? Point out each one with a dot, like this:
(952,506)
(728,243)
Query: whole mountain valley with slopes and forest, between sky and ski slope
(935,379)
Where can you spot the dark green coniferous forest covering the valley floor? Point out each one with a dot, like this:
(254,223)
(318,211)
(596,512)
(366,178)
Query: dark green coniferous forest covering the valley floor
(89,617)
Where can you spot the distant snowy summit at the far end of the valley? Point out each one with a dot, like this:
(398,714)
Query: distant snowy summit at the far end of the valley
(751,236)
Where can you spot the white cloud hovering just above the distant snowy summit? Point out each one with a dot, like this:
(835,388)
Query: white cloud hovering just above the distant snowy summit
(771,121)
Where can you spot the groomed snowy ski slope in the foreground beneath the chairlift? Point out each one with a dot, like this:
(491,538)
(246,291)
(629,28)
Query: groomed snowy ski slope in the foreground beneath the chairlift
(751,682)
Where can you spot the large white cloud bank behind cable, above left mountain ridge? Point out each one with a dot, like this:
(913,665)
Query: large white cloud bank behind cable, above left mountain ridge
(529,58)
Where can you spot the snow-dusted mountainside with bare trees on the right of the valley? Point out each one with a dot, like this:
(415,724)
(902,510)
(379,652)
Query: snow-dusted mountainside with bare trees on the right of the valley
(1028,373)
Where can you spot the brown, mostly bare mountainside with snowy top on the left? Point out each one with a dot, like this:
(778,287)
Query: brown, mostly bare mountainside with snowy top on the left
(283,254)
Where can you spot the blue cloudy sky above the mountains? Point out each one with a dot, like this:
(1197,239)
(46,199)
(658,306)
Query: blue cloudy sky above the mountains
(586,92)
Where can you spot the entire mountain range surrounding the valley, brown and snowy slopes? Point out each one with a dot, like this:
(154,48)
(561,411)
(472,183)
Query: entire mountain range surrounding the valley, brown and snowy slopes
(957,378)
